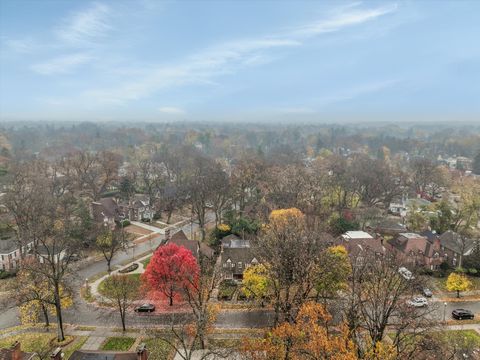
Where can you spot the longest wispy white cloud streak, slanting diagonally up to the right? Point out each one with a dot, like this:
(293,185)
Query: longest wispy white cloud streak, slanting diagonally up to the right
(229,57)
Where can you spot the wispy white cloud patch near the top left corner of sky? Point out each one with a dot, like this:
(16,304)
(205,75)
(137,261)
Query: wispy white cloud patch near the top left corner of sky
(87,26)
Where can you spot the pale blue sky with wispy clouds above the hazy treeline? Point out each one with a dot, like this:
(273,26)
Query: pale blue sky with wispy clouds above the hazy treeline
(234,60)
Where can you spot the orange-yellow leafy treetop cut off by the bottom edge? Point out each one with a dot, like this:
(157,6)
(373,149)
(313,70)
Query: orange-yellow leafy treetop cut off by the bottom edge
(307,338)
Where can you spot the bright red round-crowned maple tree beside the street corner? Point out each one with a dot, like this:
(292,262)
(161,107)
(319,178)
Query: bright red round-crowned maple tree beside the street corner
(171,269)
